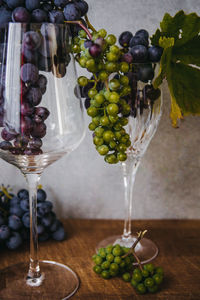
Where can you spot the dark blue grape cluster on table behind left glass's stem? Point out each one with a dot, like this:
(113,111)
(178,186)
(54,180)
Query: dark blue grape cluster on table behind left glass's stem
(15,219)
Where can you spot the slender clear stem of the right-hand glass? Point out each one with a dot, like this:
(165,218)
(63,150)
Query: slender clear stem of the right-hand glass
(129,168)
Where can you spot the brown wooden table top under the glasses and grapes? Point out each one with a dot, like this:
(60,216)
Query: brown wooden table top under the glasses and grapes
(179,245)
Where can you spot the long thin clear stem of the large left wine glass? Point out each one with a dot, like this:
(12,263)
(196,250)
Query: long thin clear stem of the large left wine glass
(34,267)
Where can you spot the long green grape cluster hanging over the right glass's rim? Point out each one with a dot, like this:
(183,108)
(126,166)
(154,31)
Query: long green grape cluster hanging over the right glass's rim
(108,108)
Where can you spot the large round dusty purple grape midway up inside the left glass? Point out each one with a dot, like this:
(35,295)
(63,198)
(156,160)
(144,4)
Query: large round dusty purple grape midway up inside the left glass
(29,73)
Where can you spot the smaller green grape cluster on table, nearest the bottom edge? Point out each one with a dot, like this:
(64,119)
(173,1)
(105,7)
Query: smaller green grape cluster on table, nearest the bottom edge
(148,279)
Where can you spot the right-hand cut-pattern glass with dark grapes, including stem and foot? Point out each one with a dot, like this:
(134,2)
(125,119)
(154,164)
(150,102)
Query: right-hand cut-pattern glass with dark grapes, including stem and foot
(146,104)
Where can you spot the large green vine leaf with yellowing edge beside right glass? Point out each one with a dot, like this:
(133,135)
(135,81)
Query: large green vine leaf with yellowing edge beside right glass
(180,62)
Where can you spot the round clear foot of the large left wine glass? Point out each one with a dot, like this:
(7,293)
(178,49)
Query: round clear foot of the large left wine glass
(59,282)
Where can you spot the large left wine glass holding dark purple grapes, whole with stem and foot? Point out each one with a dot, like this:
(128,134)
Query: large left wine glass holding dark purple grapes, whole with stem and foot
(42,120)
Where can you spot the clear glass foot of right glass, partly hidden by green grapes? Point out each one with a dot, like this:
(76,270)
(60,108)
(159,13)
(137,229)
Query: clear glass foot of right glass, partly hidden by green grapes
(146,250)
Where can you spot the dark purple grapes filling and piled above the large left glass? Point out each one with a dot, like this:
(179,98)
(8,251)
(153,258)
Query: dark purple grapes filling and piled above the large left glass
(44,48)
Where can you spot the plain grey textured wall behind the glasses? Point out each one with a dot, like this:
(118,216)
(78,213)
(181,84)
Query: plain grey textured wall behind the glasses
(167,182)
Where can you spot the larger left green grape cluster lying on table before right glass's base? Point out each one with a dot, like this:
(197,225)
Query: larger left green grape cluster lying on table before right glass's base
(109,262)
